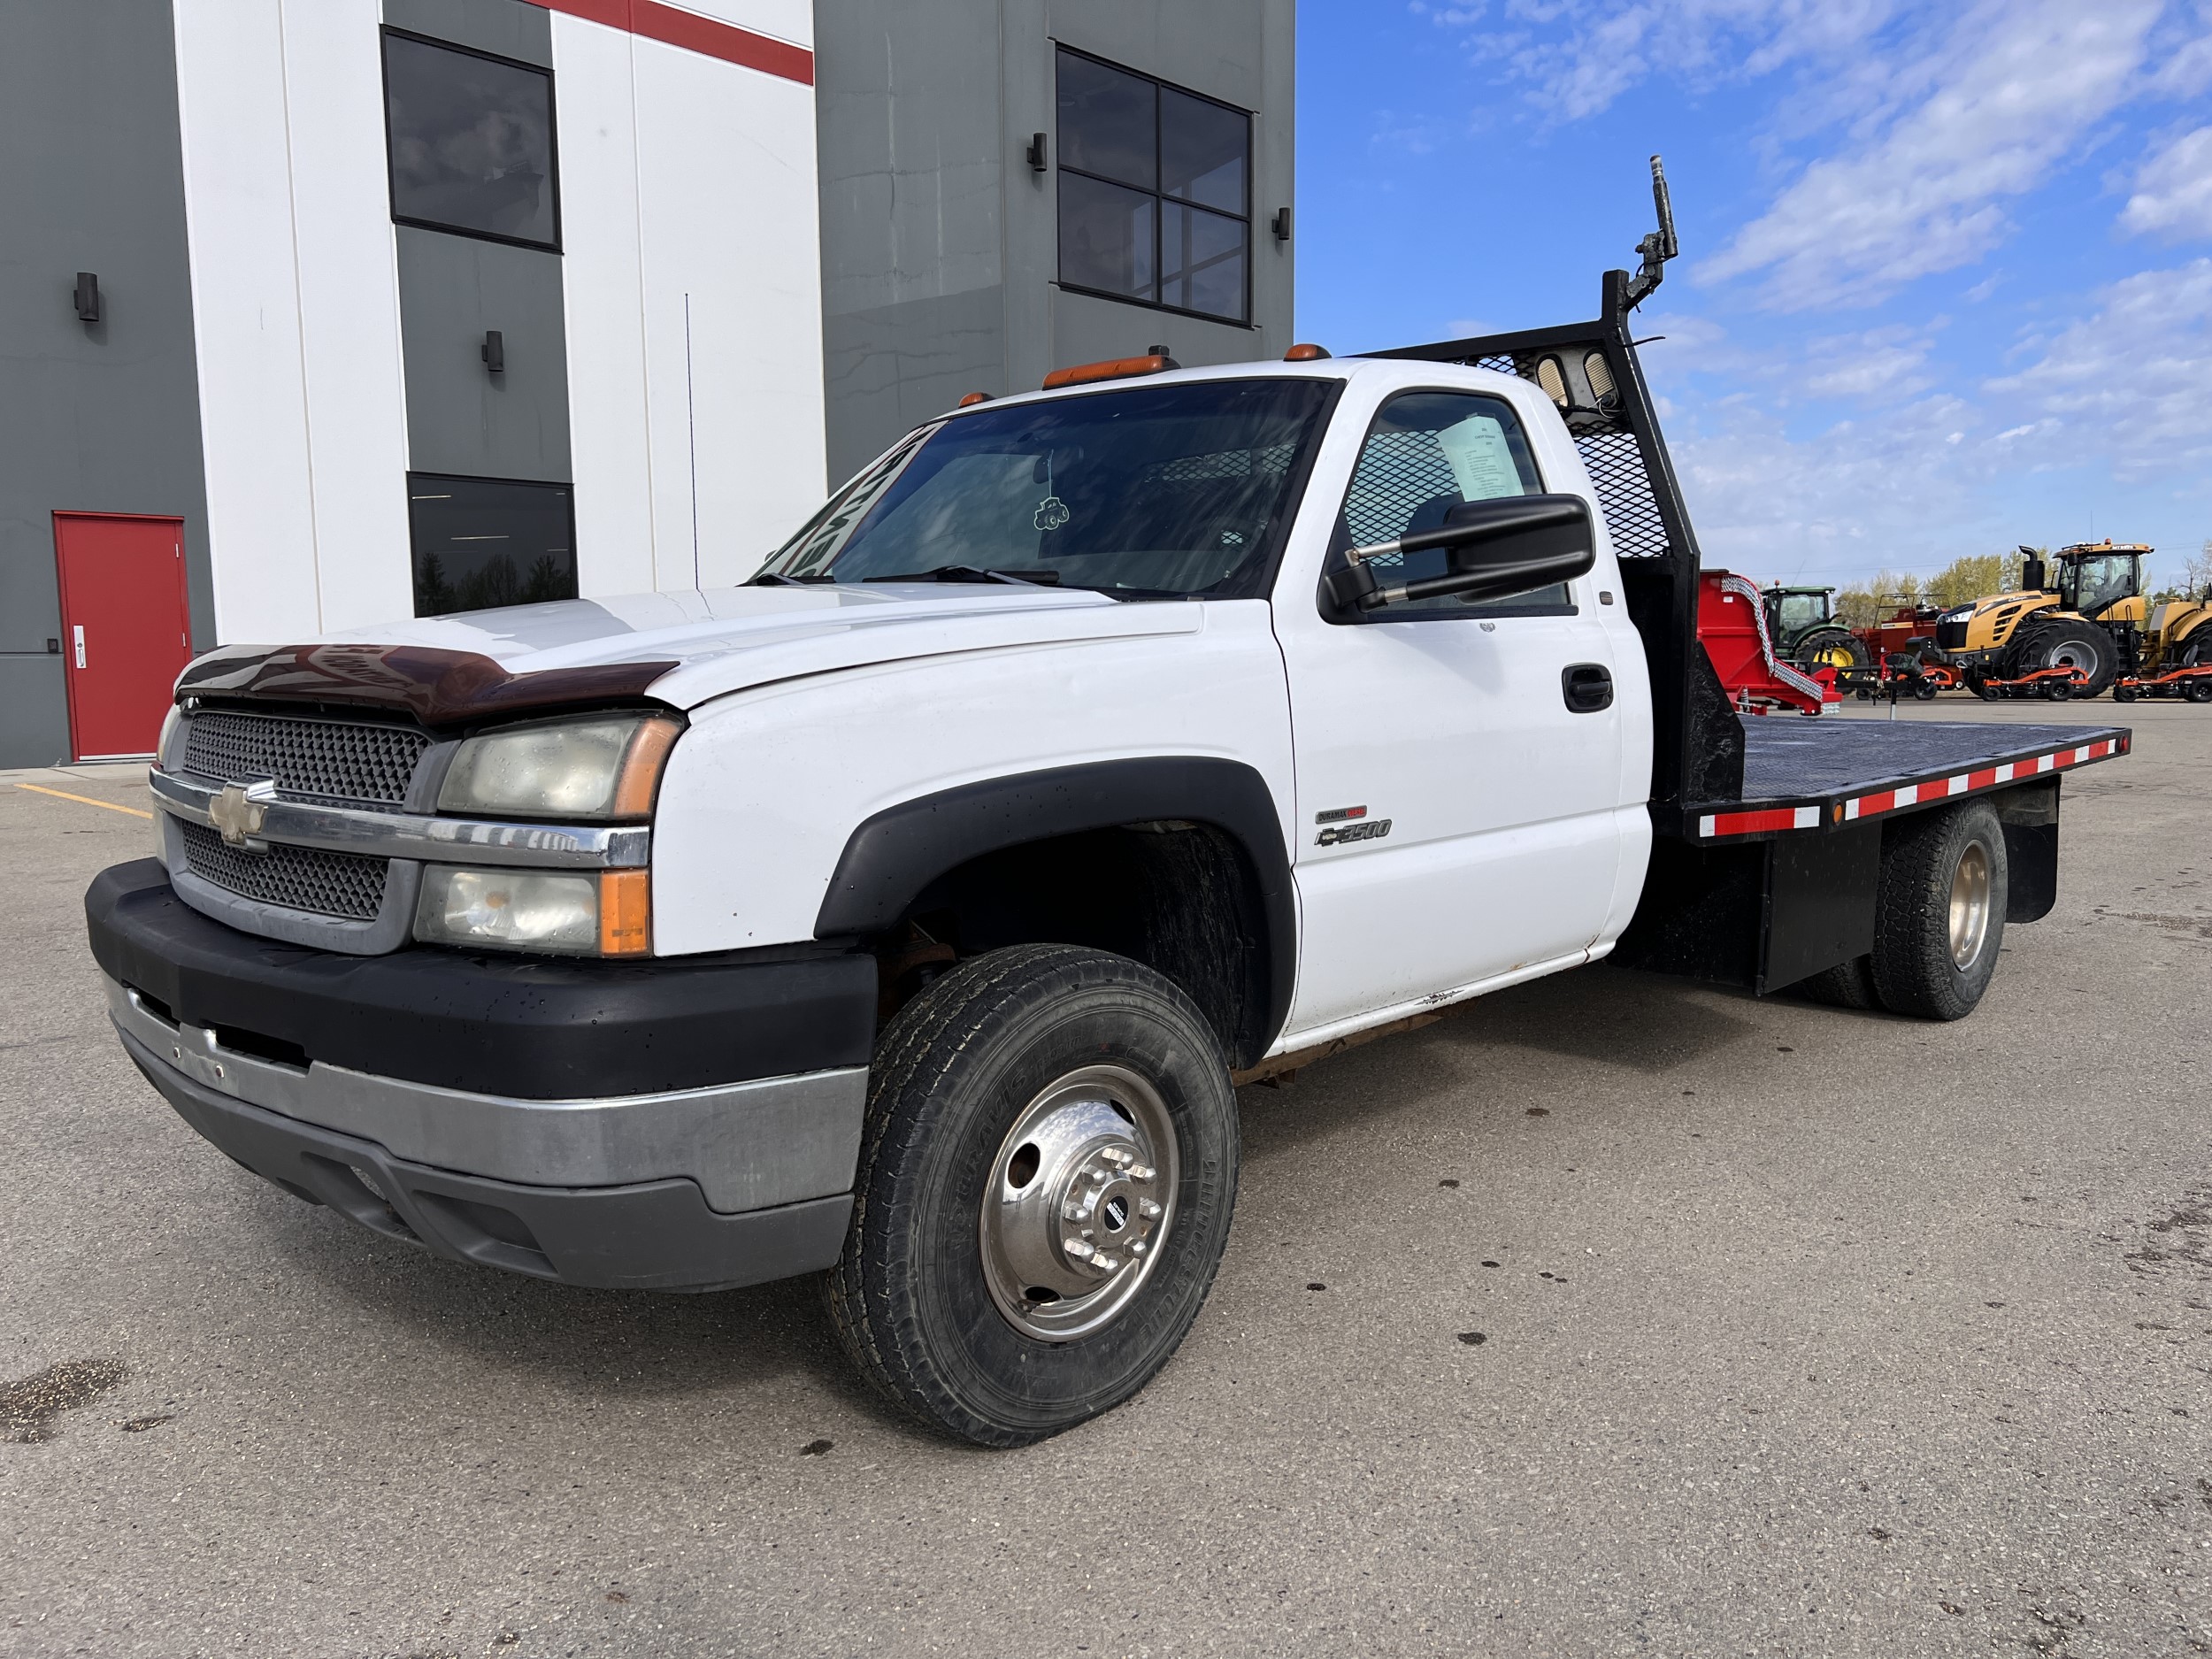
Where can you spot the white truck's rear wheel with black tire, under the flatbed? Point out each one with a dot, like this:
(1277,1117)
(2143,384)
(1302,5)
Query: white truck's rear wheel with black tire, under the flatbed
(1939,919)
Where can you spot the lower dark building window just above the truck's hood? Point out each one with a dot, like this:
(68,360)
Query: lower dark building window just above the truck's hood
(481,543)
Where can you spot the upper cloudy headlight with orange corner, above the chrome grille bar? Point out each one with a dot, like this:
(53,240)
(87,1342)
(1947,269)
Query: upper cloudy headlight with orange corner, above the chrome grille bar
(587,769)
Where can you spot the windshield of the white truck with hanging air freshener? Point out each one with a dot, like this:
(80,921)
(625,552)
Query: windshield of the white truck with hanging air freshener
(1154,492)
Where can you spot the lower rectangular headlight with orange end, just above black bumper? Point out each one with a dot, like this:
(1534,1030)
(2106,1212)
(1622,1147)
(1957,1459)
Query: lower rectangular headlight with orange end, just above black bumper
(536,910)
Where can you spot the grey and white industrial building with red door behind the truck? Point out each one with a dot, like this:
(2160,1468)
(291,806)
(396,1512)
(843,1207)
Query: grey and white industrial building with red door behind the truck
(320,313)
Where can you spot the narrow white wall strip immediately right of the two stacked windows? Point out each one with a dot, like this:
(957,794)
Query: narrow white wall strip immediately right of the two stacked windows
(605,309)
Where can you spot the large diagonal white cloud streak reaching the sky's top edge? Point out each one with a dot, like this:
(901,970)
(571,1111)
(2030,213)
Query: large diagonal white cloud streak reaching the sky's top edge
(2012,94)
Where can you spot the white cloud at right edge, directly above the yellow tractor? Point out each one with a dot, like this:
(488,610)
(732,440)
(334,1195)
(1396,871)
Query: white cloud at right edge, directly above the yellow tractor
(2131,382)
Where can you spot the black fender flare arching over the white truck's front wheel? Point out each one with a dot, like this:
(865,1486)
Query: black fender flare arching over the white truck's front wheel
(895,855)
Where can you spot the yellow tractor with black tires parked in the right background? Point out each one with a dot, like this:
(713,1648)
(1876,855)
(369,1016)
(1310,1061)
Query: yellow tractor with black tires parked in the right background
(2076,625)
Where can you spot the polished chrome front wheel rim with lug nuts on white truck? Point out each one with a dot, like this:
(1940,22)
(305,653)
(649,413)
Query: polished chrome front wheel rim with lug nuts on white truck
(1078,1204)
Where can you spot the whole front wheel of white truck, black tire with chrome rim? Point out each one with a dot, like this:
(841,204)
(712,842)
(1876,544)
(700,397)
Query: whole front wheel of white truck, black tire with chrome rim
(1032,1114)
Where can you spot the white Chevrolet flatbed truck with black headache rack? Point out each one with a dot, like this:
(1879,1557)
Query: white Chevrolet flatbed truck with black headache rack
(908,912)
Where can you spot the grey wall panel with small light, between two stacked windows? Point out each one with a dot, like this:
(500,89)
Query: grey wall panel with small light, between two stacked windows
(463,419)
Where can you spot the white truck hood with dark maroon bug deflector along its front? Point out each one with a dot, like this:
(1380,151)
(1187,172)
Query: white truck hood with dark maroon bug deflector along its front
(680,649)
